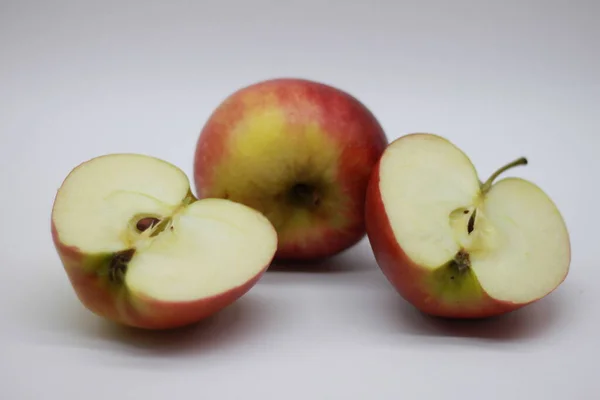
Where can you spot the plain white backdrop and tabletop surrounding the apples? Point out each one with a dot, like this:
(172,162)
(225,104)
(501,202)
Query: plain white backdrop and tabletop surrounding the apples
(501,79)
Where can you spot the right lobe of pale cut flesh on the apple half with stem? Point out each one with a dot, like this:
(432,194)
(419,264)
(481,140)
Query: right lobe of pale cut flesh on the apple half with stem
(525,249)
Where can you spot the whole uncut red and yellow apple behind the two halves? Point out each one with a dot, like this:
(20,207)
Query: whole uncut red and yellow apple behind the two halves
(344,139)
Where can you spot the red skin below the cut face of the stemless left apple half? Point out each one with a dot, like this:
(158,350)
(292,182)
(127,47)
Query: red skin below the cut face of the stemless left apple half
(116,303)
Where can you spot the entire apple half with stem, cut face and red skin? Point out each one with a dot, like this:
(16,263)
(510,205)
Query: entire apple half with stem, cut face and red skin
(456,247)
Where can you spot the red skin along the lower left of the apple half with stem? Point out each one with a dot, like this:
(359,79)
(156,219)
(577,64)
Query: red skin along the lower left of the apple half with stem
(413,282)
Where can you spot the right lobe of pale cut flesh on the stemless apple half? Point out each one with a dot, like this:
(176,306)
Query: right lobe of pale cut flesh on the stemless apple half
(216,245)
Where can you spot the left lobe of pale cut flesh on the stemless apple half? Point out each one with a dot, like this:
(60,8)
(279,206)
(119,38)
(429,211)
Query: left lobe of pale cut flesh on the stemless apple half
(99,203)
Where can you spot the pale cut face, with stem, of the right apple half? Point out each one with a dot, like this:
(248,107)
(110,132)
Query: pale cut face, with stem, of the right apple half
(513,234)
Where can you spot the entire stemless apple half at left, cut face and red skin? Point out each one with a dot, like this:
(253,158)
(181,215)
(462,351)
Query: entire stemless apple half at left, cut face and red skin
(141,250)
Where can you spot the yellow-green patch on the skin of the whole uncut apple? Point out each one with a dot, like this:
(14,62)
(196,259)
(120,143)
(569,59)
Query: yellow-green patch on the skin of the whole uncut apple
(267,154)
